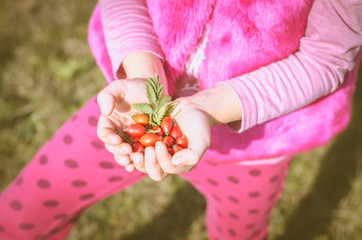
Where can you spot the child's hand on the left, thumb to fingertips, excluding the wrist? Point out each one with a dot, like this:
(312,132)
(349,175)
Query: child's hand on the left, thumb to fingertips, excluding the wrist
(115,103)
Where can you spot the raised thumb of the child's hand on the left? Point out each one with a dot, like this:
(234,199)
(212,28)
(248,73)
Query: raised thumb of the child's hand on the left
(108,96)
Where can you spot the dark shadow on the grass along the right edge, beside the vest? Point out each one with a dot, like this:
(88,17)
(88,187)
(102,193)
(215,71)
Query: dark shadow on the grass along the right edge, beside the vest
(314,214)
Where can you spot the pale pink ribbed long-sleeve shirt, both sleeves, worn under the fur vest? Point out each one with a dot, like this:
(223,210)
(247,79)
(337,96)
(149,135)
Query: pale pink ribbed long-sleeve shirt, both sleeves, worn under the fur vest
(327,52)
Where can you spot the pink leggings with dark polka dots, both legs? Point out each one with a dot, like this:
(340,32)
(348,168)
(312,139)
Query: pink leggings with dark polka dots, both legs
(73,170)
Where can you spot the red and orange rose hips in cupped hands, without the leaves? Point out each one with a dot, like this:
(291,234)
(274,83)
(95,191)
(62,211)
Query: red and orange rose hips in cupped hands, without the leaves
(141,134)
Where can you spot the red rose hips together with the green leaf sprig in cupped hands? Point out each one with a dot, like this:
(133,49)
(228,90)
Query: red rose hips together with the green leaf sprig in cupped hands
(153,122)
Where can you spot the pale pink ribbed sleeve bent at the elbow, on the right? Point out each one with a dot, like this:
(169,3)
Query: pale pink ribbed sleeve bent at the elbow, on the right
(326,53)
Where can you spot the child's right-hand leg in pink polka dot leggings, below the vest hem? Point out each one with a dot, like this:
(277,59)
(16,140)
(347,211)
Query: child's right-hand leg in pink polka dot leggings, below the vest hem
(239,196)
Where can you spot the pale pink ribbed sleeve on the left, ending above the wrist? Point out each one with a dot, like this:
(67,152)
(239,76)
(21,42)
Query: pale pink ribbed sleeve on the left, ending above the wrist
(127,28)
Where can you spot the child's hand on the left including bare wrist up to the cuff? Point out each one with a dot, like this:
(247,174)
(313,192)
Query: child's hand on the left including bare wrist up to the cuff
(115,102)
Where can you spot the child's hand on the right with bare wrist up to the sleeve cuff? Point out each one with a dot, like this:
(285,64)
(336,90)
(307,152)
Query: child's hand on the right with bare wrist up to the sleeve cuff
(198,113)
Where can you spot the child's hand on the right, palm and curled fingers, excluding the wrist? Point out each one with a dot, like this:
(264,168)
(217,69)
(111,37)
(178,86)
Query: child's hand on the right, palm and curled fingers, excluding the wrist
(157,162)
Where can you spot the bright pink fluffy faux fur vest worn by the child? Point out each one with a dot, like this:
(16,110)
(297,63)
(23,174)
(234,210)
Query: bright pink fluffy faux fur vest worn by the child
(244,35)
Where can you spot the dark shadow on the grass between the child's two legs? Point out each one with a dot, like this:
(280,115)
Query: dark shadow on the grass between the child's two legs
(176,219)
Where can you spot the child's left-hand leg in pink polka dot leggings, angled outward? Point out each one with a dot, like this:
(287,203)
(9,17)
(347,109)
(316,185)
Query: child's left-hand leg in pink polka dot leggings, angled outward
(72,171)
